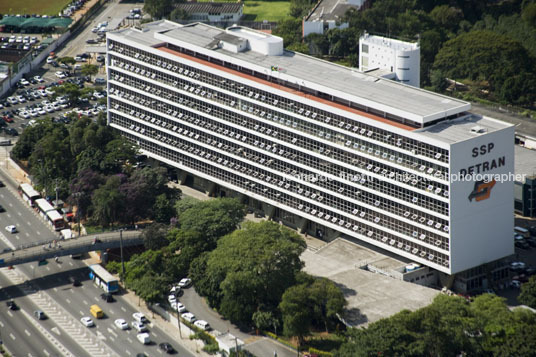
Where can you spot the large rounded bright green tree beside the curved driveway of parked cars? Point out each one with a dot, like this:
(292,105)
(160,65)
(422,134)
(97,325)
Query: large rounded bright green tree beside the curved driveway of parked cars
(250,269)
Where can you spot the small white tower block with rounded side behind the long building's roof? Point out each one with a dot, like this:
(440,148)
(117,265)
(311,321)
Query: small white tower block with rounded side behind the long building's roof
(401,59)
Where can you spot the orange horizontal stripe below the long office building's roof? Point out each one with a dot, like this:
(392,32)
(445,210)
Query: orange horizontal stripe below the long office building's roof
(286,89)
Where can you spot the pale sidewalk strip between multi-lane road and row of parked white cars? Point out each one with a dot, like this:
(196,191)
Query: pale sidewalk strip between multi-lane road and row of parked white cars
(194,346)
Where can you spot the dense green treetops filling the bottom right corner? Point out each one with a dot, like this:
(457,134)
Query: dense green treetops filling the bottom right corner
(450,326)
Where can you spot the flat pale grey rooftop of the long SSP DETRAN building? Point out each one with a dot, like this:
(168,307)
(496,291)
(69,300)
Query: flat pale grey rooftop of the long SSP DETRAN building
(373,91)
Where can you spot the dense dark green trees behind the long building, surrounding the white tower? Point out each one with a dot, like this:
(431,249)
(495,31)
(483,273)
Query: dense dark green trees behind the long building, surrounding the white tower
(490,46)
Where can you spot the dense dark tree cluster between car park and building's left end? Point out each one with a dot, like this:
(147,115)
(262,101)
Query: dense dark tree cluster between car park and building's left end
(90,164)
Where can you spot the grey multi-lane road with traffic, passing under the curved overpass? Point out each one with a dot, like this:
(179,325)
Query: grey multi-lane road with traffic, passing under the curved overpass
(49,288)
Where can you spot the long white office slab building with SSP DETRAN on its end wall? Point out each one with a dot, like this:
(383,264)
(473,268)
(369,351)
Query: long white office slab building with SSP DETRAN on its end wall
(343,150)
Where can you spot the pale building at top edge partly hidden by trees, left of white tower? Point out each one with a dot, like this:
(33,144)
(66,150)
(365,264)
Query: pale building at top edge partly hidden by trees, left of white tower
(327,14)
